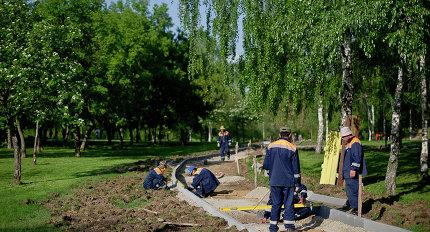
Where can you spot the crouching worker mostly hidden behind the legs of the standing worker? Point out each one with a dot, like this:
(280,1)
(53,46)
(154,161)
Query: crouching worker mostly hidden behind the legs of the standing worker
(300,195)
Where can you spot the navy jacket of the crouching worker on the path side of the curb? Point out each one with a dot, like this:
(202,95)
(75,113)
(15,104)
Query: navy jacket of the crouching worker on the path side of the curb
(205,180)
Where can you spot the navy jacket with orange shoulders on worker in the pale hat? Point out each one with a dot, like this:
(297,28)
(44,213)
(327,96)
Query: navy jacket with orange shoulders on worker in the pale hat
(354,159)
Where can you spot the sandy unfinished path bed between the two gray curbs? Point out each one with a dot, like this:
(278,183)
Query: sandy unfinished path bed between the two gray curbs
(235,190)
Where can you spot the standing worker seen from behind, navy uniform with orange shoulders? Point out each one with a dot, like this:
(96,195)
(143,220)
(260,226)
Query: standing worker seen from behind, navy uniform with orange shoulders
(282,162)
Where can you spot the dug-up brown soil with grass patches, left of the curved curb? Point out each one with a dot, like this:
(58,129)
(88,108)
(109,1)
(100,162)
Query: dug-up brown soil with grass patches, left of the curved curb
(123,205)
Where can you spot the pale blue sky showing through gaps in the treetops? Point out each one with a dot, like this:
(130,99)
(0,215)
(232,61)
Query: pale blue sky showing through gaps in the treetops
(174,14)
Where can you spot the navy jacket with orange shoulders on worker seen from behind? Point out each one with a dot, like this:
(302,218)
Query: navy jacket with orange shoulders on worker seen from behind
(282,162)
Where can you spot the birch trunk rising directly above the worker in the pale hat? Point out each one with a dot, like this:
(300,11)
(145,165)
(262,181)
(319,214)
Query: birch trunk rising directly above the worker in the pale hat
(347,86)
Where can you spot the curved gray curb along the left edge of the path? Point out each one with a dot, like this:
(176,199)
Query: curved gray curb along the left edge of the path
(200,202)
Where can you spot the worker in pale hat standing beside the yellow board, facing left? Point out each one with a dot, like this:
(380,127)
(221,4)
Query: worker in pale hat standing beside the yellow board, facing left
(353,166)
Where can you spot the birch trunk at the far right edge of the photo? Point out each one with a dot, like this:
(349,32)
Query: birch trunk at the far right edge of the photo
(424,121)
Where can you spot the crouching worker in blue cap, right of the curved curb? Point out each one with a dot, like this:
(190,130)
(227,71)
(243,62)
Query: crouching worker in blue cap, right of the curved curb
(204,181)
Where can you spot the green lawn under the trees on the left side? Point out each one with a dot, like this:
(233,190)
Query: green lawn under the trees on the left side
(59,172)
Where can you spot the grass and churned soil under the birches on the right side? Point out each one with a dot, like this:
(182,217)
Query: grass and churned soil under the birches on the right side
(409,208)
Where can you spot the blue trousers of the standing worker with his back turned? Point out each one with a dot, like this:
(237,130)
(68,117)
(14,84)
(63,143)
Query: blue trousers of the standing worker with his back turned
(281,195)
